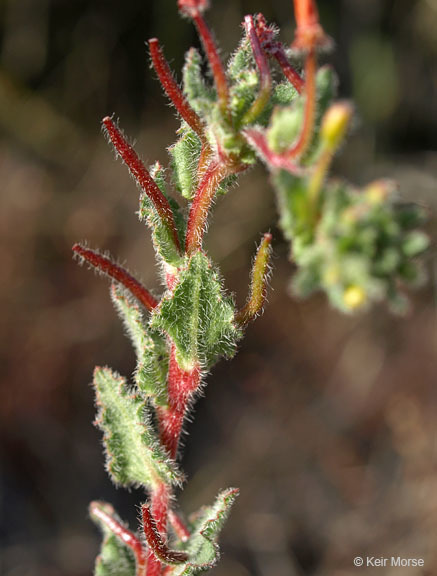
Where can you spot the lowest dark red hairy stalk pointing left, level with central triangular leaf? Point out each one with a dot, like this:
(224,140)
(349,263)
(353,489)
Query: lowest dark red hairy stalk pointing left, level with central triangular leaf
(116,272)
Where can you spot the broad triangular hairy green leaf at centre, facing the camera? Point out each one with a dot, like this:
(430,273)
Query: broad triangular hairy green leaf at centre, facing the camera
(198,316)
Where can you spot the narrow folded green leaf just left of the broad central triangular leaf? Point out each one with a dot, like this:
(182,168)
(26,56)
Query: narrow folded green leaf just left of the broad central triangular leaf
(151,349)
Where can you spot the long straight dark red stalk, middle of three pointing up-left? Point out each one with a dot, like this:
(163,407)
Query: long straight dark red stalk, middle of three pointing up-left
(142,176)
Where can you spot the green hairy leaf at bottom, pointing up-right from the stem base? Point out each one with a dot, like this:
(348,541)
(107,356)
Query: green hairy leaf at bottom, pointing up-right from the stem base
(202,548)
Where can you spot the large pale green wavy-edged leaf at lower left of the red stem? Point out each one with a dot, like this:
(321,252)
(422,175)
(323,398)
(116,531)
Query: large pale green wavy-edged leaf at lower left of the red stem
(133,454)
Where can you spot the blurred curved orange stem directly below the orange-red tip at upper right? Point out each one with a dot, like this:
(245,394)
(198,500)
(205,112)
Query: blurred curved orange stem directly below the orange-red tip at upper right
(306,134)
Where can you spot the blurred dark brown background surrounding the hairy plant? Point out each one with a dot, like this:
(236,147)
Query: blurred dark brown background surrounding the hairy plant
(327,424)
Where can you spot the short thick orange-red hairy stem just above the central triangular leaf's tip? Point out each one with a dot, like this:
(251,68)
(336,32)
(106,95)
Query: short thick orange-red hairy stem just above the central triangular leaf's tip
(201,205)
